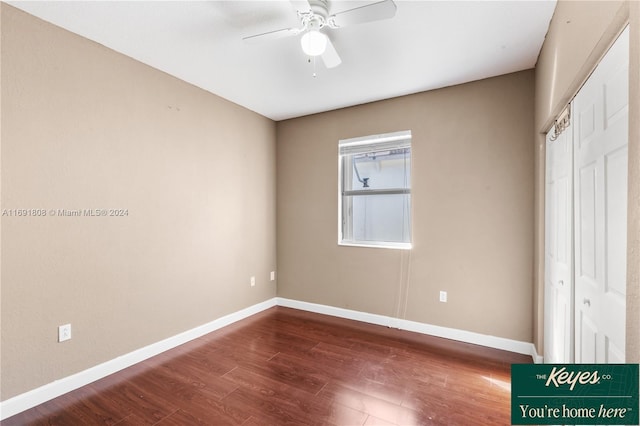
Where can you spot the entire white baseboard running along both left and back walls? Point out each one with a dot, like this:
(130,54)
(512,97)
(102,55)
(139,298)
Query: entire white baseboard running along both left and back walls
(54,389)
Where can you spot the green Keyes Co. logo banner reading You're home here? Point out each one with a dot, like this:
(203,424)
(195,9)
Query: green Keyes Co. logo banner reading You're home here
(577,394)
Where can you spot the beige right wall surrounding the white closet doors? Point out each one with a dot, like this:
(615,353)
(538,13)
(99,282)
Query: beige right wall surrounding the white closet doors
(579,35)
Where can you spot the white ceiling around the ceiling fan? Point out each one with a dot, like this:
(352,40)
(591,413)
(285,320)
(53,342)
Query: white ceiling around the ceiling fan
(427,45)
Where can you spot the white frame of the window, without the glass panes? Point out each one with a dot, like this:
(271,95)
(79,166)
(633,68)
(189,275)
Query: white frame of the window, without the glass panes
(359,145)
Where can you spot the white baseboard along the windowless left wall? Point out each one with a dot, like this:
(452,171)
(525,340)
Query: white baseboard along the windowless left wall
(54,389)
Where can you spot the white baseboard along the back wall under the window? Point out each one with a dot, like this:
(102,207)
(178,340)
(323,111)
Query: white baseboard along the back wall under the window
(510,345)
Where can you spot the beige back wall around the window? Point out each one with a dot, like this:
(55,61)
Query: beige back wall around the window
(472,196)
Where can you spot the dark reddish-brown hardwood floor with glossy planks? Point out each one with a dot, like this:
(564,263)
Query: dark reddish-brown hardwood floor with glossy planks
(289,367)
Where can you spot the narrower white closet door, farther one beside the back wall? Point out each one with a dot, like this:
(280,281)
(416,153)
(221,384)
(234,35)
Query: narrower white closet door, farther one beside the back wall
(559,249)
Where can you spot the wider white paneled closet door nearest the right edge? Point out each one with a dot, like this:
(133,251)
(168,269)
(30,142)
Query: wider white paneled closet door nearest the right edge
(601,122)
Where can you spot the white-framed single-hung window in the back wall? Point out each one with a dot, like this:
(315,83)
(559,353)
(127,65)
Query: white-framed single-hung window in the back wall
(375,191)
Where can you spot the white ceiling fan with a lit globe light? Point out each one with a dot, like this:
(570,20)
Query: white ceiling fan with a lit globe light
(314,17)
